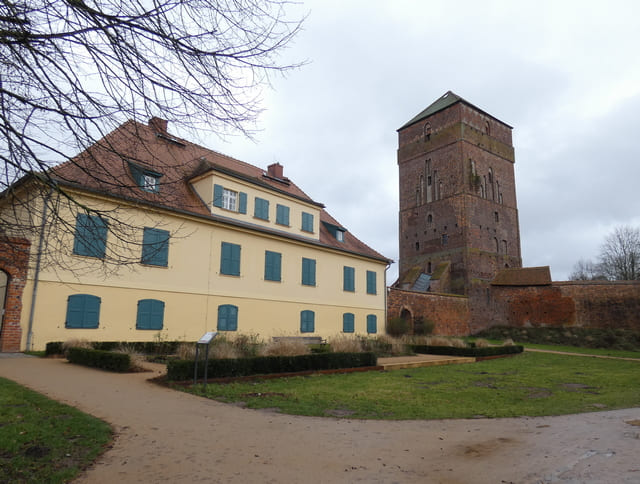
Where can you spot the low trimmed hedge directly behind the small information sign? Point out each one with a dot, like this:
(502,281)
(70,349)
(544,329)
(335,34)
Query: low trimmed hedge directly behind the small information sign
(262,365)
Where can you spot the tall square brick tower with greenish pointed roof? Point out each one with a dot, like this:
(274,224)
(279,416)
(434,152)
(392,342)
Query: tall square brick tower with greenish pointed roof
(458,210)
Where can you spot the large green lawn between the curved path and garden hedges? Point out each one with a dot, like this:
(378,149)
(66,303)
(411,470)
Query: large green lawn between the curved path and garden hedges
(531,384)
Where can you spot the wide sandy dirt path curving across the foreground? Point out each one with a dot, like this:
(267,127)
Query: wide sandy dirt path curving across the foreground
(168,436)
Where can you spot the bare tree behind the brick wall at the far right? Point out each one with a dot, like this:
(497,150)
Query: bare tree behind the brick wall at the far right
(619,258)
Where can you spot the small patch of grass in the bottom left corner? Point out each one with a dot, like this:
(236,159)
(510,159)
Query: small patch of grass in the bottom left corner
(45,441)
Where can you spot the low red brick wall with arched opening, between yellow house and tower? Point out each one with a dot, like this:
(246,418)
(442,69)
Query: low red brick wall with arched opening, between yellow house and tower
(450,313)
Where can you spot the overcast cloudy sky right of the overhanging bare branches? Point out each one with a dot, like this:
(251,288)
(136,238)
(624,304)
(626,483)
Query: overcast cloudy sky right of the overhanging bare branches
(564,74)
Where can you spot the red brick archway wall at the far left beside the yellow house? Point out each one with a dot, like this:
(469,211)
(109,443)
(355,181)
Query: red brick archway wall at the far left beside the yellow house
(14,258)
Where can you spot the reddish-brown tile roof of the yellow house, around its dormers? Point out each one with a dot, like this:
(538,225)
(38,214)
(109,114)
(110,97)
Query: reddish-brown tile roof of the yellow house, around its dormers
(105,168)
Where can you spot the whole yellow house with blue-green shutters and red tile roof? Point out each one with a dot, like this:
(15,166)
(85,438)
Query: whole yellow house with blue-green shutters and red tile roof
(172,240)
